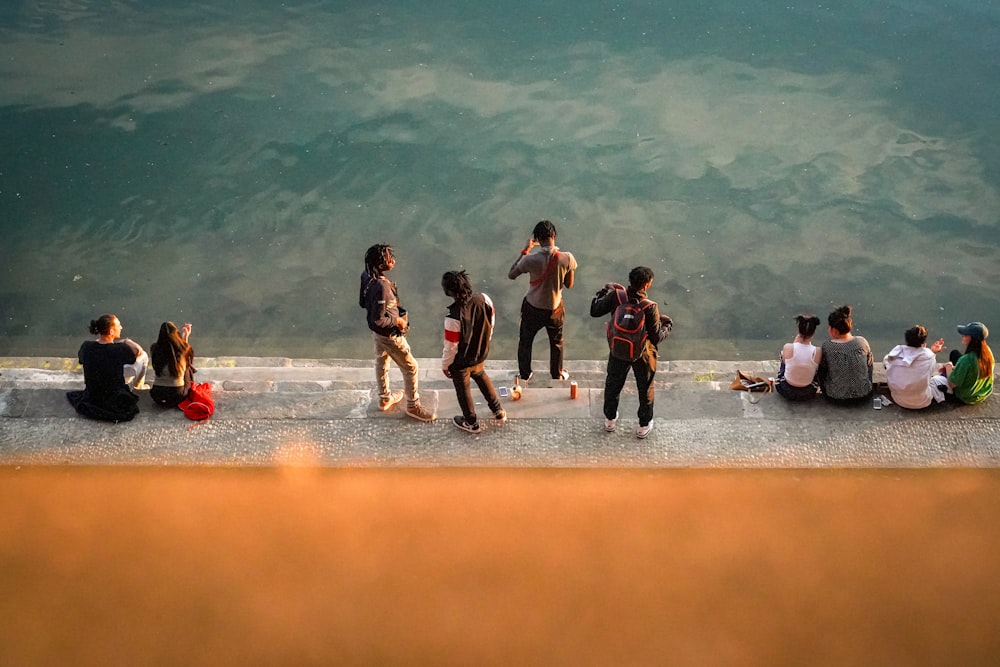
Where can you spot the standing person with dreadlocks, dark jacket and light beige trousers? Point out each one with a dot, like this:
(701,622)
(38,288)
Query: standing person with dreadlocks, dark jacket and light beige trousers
(388,322)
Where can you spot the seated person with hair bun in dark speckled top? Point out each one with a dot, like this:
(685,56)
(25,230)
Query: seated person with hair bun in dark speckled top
(845,370)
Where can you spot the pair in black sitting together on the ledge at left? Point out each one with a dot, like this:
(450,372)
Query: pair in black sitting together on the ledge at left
(114,366)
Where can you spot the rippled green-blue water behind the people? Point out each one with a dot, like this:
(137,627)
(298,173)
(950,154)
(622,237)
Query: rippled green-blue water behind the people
(228,163)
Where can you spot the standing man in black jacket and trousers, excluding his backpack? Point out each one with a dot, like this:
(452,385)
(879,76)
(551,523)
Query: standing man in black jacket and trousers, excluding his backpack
(656,327)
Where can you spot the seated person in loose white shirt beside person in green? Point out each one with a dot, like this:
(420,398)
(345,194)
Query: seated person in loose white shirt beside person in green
(910,368)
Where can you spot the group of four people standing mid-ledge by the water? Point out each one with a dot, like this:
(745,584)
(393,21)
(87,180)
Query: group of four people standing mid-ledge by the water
(468,330)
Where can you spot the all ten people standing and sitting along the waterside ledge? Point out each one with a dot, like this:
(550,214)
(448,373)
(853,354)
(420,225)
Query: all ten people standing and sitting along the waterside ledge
(840,369)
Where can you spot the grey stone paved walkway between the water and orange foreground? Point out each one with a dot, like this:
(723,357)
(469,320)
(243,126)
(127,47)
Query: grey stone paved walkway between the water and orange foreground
(277,410)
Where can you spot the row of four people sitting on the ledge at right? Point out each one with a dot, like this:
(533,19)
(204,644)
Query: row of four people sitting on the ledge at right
(841,368)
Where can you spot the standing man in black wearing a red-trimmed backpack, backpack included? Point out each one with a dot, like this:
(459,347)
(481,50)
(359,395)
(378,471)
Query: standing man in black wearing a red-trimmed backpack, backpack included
(634,331)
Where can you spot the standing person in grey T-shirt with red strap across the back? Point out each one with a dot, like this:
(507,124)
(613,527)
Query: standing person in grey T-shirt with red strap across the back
(549,271)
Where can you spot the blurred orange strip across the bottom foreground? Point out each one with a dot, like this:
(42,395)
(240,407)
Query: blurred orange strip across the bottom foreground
(311,566)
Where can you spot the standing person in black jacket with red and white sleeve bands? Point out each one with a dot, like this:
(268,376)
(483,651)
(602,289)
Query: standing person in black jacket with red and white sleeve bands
(468,327)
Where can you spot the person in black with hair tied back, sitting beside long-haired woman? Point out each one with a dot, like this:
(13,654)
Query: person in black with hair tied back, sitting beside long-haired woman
(112,366)
